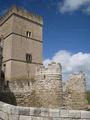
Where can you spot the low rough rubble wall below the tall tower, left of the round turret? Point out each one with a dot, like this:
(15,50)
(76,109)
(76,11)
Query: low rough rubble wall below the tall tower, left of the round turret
(17,92)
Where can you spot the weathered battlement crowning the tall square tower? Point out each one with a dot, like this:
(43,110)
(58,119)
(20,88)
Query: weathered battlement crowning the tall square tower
(21,13)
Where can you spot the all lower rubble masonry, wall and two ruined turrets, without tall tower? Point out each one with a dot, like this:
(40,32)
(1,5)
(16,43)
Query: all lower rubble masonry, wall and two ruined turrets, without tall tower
(47,90)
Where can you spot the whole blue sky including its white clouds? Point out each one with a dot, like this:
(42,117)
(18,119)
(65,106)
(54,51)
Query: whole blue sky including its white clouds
(66,30)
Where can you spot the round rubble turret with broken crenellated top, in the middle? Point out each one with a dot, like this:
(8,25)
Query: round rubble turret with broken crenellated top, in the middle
(48,86)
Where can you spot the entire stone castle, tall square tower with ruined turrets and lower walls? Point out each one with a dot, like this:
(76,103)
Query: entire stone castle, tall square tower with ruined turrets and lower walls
(24,80)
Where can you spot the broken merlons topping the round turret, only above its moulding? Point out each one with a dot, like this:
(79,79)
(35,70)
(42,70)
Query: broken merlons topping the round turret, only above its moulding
(52,69)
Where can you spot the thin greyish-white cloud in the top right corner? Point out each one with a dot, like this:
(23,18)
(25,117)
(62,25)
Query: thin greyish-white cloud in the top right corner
(73,5)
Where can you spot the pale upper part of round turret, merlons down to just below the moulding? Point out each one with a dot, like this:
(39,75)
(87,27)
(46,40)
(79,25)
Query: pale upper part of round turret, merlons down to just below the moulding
(53,70)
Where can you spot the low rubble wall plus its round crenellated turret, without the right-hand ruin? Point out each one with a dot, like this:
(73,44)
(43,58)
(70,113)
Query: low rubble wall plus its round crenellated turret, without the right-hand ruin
(43,91)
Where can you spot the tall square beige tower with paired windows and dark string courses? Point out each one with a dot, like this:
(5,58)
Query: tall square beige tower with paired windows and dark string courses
(22,43)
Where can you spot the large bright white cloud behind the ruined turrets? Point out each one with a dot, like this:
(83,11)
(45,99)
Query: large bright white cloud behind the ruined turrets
(72,63)
